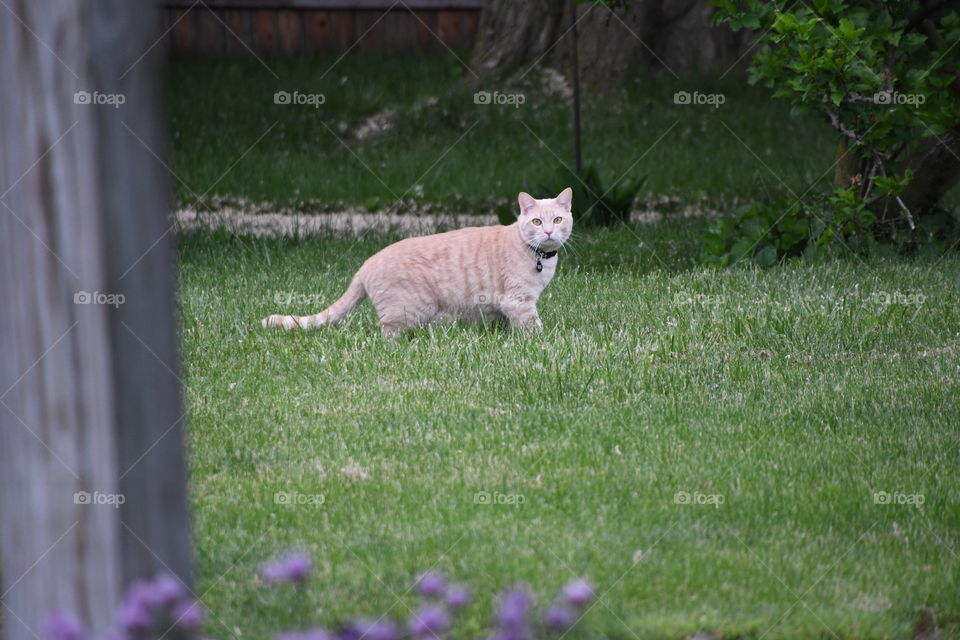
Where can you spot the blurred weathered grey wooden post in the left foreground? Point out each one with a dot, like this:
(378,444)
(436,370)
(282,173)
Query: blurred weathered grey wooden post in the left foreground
(92,474)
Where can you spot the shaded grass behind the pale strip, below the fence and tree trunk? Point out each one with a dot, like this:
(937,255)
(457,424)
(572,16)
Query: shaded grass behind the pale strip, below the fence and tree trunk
(465,154)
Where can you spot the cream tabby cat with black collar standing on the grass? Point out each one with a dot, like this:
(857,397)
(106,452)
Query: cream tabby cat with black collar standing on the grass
(474,274)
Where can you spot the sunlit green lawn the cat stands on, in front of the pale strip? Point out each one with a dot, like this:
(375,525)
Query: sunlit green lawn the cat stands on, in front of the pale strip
(795,394)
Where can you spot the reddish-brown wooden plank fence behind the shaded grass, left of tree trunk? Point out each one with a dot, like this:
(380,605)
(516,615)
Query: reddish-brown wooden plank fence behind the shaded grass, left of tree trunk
(223,28)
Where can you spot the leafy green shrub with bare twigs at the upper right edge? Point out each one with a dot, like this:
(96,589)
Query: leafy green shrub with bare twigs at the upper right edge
(883,73)
